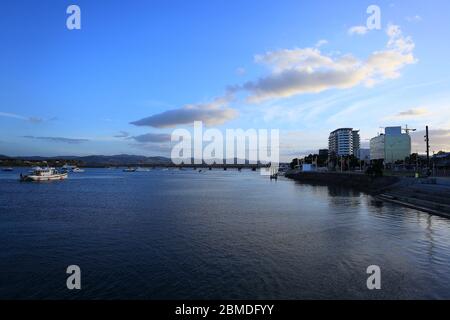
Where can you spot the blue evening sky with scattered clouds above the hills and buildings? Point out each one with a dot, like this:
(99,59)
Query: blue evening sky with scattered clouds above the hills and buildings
(137,70)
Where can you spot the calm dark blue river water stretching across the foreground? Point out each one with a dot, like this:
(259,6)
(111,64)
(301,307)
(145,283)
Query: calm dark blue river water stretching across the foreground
(212,235)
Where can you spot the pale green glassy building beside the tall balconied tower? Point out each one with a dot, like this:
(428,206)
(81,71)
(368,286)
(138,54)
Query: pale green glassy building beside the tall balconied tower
(391,146)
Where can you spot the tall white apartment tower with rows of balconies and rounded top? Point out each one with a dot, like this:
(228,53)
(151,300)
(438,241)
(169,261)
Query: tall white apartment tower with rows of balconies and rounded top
(344,142)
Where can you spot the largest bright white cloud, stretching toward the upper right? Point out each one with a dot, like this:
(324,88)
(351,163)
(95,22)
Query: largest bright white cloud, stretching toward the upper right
(308,70)
